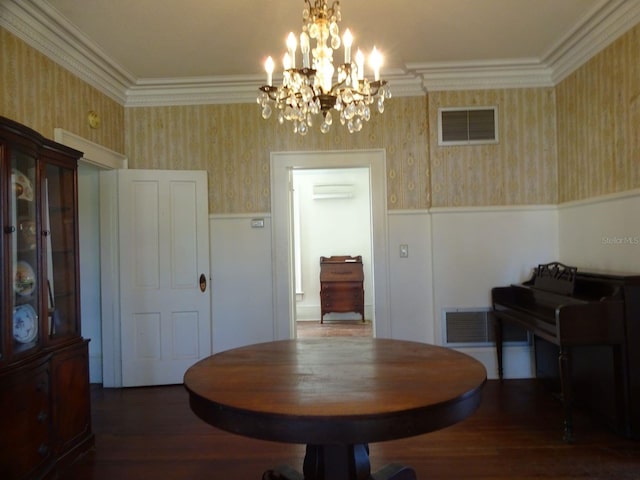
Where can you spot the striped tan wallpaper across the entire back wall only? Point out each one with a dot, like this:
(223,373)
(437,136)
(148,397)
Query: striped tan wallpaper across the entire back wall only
(233,143)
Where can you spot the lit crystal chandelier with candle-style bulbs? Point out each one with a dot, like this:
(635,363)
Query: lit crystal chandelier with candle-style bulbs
(309,91)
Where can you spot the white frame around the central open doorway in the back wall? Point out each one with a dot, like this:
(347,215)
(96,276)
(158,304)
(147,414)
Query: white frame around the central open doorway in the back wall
(282,165)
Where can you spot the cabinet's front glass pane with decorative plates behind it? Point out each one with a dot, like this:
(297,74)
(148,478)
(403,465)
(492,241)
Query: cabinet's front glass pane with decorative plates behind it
(25,327)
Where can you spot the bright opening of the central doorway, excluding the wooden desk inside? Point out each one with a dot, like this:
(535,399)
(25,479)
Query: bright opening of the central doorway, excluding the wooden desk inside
(331,216)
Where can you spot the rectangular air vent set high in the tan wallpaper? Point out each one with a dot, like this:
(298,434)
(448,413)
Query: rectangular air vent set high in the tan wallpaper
(467,126)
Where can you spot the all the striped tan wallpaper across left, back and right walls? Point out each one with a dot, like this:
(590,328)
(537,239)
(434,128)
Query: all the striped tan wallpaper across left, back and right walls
(574,141)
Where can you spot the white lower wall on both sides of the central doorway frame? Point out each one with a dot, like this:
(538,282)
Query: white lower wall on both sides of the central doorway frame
(242,279)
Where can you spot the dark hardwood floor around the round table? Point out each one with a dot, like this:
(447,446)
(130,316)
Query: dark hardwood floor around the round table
(516,434)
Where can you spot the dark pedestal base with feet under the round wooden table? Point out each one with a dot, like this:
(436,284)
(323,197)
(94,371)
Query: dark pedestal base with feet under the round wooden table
(339,462)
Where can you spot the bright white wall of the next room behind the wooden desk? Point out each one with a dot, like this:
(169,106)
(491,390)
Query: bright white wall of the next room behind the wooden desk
(332,226)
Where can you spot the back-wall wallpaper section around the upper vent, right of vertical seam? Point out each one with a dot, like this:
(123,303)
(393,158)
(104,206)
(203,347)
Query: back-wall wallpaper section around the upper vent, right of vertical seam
(519,170)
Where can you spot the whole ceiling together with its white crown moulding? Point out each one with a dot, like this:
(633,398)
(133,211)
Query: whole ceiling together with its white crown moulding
(140,51)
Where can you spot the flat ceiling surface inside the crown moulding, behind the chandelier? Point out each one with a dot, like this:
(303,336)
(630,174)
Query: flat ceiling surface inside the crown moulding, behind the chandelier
(152,39)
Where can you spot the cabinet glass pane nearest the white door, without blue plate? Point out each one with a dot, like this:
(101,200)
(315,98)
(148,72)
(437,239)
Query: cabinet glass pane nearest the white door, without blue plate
(60,252)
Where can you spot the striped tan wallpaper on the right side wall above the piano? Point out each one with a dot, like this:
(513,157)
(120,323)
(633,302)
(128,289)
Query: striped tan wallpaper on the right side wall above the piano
(599,123)
